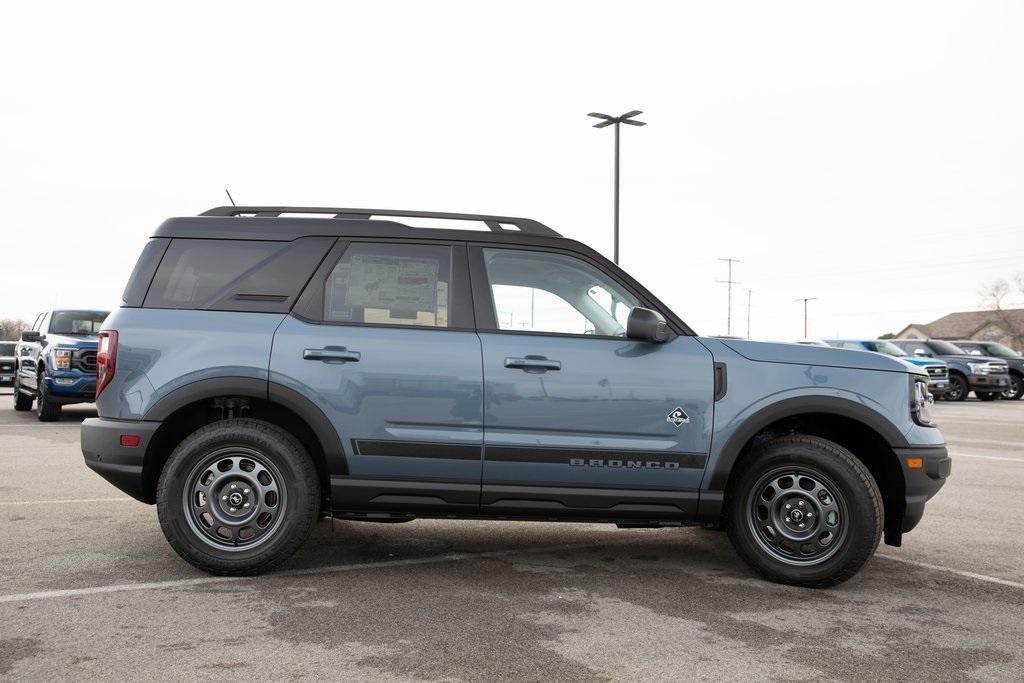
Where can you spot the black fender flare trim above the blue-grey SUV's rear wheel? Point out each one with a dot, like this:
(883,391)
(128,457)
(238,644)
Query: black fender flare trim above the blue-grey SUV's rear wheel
(265,391)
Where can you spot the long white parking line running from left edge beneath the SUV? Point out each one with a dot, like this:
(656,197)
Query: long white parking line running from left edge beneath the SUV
(336,569)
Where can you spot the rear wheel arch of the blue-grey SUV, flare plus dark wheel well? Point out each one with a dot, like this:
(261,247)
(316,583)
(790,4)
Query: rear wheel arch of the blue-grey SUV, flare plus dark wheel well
(205,402)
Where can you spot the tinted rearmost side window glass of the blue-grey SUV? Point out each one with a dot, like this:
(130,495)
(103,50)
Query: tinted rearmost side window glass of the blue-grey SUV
(194,272)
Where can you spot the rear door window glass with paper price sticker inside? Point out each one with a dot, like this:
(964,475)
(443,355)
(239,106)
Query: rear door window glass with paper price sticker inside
(391,284)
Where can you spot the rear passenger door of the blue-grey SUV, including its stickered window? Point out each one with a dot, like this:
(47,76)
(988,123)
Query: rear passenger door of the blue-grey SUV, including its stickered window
(383,343)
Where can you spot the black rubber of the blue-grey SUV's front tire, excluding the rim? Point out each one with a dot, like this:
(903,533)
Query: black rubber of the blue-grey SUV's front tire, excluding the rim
(864,502)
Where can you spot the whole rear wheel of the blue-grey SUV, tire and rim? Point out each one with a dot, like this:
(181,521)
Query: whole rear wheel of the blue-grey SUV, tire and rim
(253,463)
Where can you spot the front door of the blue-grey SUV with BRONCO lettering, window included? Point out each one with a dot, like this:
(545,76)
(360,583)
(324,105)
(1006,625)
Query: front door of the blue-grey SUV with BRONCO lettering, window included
(580,420)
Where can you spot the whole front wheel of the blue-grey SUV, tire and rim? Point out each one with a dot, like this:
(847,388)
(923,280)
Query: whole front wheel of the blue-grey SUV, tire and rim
(826,553)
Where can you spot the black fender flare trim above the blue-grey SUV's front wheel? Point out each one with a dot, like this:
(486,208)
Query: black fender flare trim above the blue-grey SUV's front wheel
(794,407)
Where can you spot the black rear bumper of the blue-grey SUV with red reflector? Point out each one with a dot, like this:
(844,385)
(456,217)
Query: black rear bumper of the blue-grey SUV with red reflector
(120,465)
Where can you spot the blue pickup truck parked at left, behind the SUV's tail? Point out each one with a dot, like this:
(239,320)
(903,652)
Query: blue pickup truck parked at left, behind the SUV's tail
(58,362)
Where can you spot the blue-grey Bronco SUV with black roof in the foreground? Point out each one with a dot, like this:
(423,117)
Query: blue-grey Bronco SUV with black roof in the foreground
(266,370)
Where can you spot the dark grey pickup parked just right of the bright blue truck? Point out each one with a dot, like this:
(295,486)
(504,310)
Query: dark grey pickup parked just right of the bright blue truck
(987,376)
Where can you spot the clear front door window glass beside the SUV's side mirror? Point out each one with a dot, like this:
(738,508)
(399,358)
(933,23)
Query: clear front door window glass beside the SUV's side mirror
(556,293)
